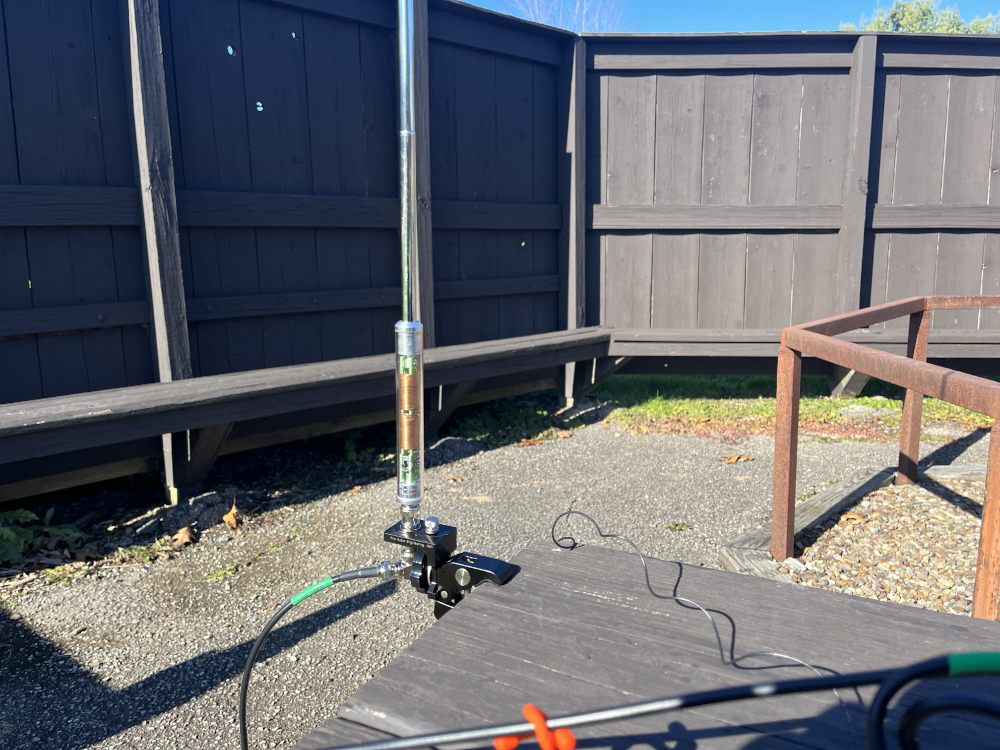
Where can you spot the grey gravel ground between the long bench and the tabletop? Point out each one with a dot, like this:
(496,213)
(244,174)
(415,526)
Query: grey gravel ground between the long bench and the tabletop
(151,657)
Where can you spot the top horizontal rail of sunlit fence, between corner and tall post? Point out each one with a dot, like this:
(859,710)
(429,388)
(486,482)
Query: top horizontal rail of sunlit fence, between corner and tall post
(730,61)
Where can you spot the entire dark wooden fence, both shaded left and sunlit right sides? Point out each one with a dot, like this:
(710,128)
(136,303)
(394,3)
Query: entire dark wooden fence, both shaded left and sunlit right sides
(199,187)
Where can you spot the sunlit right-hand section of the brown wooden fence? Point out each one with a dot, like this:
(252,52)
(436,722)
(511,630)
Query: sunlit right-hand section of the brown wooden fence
(754,182)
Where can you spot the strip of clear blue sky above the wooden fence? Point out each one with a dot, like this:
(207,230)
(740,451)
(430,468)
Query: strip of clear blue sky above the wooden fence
(746,15)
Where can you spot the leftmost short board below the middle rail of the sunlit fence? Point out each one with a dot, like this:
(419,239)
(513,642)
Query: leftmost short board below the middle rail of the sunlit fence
(629,280)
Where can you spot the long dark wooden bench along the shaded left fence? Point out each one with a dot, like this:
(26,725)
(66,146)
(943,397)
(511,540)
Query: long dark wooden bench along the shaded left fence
(261,407)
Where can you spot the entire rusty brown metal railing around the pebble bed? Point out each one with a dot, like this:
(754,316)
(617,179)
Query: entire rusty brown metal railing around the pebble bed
(920,379)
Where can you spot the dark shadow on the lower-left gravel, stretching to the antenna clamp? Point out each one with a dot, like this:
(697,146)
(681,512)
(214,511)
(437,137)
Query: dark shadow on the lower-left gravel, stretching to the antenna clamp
(50,701)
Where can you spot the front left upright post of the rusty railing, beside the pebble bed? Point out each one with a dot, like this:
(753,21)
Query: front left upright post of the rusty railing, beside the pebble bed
(786,439)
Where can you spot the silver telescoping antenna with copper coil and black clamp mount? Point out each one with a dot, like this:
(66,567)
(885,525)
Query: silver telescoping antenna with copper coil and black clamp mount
(428,557)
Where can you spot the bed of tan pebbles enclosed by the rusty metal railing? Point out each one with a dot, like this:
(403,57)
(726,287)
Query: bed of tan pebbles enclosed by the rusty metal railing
(912,544)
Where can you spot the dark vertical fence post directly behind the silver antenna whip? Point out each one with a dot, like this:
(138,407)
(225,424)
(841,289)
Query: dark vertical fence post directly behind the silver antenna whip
(422,164)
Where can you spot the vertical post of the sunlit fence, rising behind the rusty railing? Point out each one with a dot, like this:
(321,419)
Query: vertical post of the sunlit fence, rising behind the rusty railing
(855,189)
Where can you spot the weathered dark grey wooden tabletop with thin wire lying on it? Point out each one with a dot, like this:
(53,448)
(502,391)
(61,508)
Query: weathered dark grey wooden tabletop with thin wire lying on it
(577,630)
